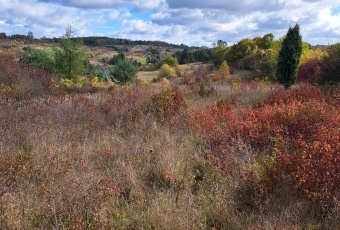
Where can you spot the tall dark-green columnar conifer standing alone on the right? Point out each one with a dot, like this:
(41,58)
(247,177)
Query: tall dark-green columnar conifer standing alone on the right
(289,57)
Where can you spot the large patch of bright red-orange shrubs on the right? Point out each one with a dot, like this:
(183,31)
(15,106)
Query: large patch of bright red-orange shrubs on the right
(298,125)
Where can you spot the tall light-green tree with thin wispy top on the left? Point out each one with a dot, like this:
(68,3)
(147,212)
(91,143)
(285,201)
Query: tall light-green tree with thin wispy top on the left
(69,58)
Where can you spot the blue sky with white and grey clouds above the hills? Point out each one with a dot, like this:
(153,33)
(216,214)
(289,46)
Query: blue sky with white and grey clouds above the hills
(189,22)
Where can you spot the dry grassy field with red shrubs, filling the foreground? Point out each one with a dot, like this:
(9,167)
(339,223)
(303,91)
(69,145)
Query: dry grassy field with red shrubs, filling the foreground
(193,152)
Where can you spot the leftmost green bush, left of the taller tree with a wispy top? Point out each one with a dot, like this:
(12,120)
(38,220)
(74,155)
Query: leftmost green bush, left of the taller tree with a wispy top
(37,58)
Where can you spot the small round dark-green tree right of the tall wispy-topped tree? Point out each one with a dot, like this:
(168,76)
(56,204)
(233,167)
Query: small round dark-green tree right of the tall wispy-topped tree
(125,71)
